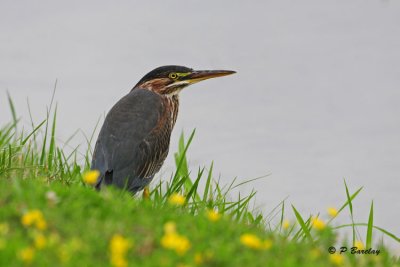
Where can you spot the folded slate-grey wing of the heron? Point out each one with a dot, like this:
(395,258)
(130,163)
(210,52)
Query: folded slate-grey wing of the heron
(127,139)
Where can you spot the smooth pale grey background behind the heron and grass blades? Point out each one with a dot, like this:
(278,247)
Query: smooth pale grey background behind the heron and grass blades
(316,98)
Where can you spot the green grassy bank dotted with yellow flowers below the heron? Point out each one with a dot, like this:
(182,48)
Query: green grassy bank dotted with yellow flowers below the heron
(50,217)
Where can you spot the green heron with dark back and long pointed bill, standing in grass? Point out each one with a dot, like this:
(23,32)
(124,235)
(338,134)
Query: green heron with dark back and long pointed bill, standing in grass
(134,139)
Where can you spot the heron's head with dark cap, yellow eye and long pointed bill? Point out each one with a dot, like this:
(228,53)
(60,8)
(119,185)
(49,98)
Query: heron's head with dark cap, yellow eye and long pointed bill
(170,80)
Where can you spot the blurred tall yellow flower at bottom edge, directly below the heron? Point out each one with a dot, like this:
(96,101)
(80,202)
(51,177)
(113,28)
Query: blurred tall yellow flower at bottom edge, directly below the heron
(119,246)
